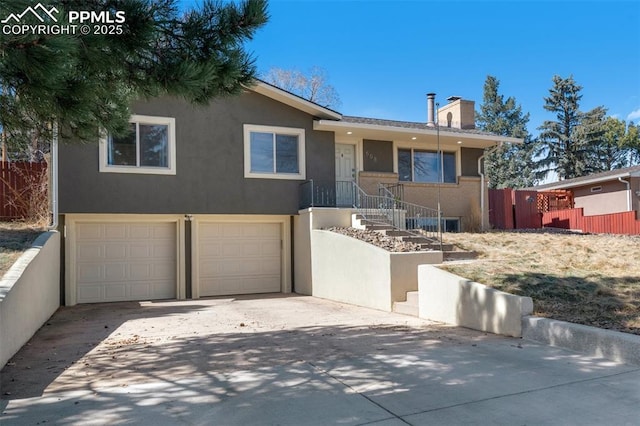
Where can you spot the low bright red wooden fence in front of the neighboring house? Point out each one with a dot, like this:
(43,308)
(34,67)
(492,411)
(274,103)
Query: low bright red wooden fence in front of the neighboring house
(613,223)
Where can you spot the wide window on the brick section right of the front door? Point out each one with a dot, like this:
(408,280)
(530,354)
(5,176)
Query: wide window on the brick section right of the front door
(416,165)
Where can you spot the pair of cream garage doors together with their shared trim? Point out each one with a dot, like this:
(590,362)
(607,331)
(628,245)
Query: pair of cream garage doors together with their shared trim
(113,258)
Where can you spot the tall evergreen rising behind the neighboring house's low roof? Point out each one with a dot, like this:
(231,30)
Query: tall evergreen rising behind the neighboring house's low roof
(565,144)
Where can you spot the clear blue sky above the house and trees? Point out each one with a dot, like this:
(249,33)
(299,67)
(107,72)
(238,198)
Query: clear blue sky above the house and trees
(384,56)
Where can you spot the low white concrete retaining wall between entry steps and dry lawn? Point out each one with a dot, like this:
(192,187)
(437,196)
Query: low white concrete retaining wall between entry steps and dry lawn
(455,300)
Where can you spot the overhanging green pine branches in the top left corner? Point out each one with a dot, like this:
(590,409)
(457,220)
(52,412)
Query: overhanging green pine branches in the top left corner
(87,82)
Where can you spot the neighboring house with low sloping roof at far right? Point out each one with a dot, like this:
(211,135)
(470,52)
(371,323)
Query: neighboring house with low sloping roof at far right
(615,191)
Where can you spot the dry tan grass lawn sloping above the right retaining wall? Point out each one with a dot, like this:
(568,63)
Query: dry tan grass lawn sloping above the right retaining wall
(585,279)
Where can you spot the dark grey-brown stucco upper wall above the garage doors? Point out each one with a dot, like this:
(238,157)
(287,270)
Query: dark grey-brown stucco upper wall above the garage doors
(210,164)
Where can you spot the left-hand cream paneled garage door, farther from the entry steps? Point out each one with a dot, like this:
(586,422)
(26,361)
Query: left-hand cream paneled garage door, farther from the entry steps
(125,261)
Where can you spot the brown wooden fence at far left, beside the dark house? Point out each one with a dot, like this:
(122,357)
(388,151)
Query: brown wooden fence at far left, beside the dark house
(23,191)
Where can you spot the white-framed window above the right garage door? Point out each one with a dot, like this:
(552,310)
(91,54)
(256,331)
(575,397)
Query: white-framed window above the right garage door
(273,152)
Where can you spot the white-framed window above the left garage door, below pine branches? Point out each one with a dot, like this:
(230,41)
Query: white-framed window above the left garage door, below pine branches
(149,147)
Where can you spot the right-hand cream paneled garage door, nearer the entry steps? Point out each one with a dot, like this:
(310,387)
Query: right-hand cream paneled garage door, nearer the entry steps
(239,258)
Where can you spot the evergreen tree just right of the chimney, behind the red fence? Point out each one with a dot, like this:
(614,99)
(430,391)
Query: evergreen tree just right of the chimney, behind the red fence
(511,165)
